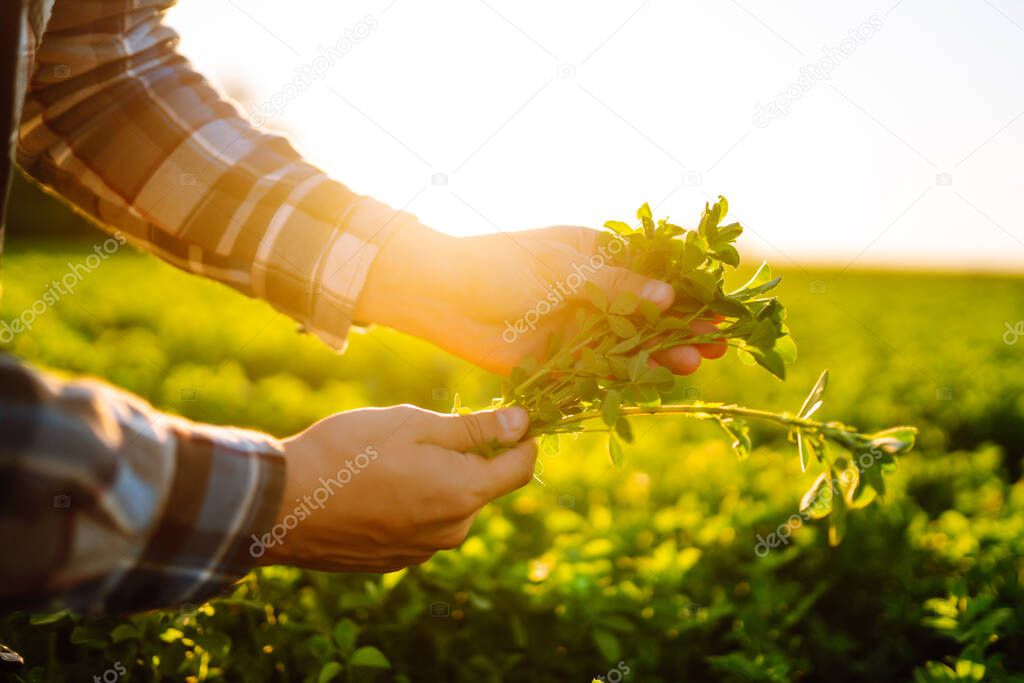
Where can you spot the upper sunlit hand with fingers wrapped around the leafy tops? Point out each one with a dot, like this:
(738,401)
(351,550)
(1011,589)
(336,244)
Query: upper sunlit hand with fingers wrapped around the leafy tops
(495,300)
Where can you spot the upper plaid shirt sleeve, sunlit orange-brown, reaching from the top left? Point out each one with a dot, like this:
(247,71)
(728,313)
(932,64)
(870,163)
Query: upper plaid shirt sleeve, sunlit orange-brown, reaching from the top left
(117,122)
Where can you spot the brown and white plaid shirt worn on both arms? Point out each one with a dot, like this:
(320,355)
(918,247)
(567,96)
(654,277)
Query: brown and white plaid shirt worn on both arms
(117,507)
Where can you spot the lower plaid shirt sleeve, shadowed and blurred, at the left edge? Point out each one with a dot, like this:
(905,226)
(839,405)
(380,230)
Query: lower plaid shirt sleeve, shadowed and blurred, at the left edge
(107,506)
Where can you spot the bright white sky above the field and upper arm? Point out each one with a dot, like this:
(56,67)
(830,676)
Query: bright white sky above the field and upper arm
(542,113)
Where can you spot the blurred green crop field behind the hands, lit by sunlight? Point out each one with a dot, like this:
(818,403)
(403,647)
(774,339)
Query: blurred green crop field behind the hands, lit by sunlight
(651,573)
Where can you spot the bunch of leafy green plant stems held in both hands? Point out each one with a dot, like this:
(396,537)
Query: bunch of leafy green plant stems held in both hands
(603,371)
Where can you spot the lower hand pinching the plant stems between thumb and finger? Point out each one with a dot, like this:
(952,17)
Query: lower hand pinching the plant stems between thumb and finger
(379,490)
